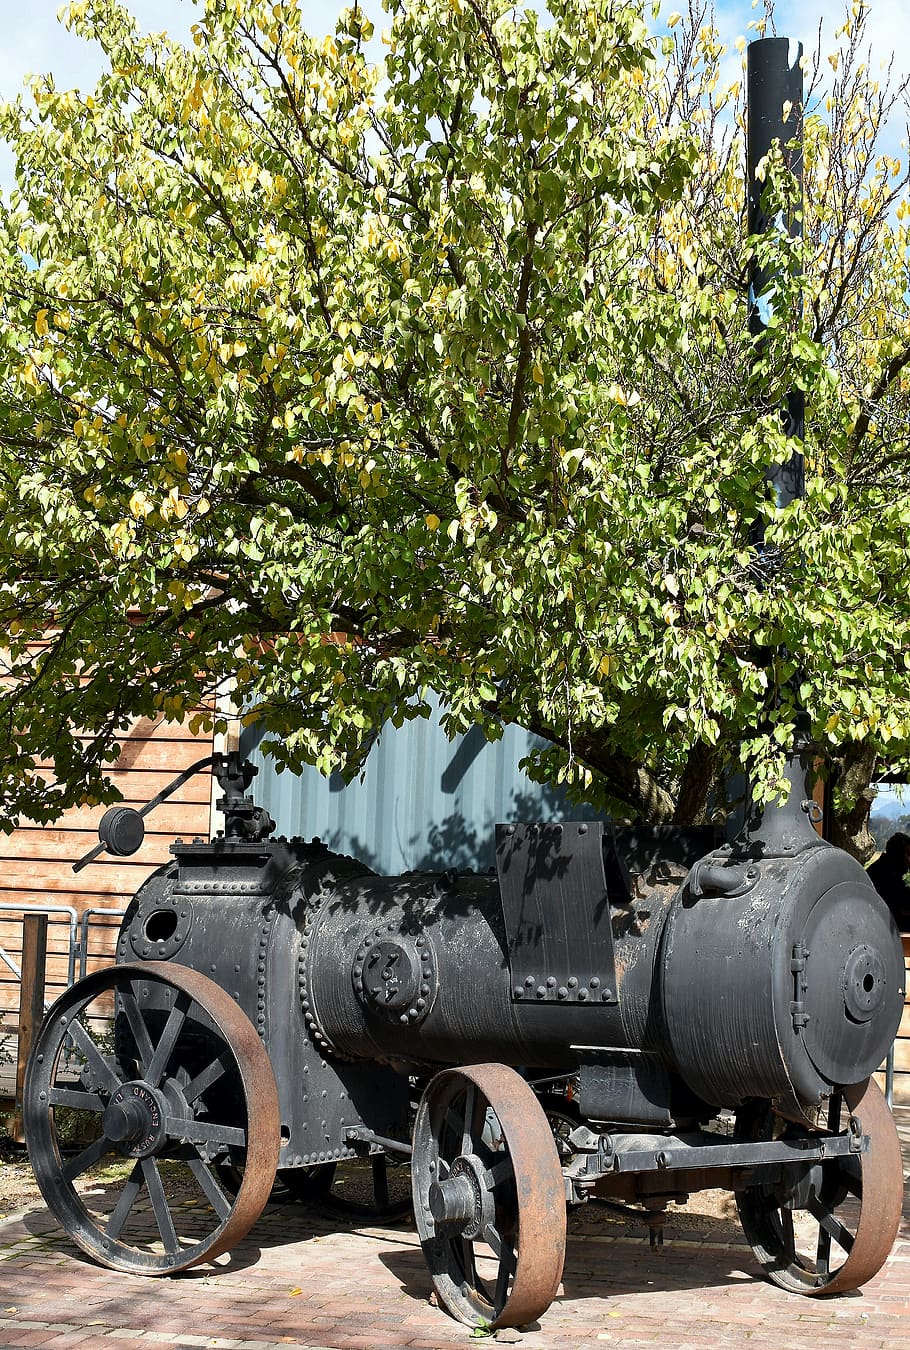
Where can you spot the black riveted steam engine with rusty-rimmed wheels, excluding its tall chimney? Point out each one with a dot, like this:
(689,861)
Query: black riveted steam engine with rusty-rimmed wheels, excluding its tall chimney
(624,1016)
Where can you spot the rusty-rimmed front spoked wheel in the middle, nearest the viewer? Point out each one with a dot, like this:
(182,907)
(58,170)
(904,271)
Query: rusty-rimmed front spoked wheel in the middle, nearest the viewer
(489,1197)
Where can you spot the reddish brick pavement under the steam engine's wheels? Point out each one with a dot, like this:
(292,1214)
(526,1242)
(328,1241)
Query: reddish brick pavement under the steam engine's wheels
(300,1280)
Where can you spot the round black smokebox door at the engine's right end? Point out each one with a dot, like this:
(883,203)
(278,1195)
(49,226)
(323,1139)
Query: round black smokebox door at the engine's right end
(849,983)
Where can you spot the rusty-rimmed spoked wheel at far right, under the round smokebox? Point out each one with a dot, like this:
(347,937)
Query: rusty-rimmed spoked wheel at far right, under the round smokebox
(831,1228)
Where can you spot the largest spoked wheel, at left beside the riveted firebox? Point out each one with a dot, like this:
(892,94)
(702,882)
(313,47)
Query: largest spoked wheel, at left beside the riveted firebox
(188,1090)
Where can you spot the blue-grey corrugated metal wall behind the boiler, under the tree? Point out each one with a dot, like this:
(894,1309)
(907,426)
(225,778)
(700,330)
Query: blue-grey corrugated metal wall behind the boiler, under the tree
(425,803)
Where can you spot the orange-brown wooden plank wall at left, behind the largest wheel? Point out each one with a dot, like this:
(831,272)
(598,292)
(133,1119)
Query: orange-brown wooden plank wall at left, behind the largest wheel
(37,861)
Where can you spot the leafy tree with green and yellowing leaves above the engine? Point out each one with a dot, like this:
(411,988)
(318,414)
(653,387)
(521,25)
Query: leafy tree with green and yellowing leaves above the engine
(344,387)
